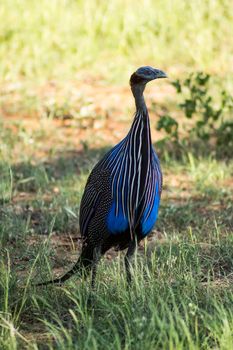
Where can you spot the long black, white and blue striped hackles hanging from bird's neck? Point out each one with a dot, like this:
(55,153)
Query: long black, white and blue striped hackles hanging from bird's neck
(131,167)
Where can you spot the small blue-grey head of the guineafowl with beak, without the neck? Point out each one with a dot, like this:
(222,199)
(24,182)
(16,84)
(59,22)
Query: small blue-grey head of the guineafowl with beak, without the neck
(145,74)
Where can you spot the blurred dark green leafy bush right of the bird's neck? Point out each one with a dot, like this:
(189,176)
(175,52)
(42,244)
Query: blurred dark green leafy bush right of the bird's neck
(209,116)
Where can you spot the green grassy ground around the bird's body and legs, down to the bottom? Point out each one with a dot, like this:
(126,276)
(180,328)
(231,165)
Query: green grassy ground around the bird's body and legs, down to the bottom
(181,295)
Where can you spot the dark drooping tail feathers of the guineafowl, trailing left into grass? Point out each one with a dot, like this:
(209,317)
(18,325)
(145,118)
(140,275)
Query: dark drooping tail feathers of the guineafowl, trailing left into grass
(83,265)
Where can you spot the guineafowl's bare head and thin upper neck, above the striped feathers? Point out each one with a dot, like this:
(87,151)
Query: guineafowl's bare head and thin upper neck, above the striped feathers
(138,81)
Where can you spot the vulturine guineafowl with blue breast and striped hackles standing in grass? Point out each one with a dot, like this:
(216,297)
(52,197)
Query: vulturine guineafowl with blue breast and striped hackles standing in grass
(121,199)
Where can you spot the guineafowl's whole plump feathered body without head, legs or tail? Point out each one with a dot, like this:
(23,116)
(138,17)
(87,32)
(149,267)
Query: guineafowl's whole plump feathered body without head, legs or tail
(122,194)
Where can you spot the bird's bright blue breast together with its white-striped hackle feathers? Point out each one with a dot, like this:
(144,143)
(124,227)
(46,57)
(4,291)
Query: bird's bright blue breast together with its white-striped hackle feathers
(136,181)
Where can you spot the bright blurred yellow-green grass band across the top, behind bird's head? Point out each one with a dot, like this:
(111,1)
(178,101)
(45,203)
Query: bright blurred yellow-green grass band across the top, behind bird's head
(54,39)
